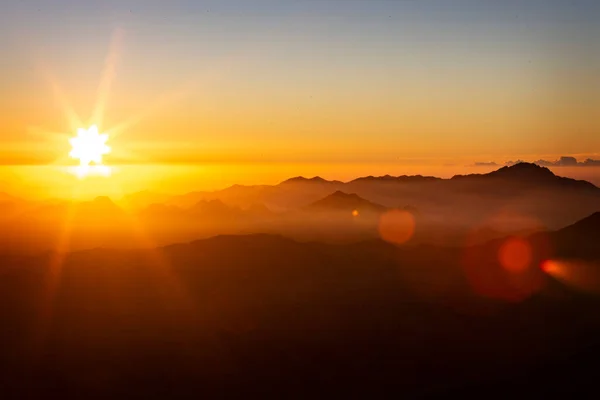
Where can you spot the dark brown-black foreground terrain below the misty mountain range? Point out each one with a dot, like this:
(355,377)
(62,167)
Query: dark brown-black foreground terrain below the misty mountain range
(265,316)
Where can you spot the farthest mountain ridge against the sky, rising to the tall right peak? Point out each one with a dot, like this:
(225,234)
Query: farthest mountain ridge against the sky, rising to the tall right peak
(476,193)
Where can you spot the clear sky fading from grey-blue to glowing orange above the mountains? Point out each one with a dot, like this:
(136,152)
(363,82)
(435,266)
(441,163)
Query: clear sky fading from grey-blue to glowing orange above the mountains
(335,87)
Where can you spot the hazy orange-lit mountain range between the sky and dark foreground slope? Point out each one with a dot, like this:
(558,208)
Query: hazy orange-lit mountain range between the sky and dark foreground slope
(519,199)
